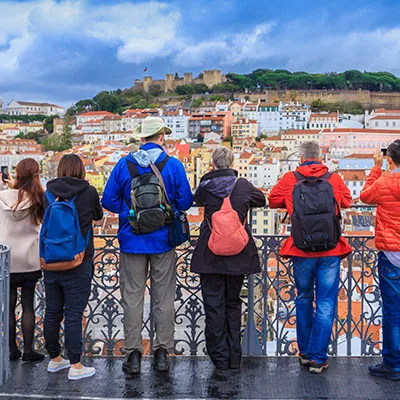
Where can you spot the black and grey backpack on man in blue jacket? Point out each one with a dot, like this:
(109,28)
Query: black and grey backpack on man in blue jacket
(149,209)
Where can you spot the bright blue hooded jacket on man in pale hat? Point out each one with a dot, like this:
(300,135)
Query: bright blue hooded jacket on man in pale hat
(117,193)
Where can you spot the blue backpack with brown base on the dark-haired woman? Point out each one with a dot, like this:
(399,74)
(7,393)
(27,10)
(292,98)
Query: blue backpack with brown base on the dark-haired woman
(62,245)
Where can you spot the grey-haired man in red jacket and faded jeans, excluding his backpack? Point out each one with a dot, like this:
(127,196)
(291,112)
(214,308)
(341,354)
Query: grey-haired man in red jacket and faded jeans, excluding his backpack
(320,269)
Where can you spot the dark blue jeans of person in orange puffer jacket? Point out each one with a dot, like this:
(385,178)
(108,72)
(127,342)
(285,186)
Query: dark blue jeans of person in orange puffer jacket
(389,283)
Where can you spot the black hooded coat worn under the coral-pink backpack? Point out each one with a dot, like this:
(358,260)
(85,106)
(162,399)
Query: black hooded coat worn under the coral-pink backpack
(214,187)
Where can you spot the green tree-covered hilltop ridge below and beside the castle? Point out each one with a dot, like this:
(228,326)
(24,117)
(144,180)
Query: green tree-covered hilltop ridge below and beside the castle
(256,82)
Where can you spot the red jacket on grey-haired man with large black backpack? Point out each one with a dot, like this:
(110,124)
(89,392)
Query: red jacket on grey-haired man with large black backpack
(281,197)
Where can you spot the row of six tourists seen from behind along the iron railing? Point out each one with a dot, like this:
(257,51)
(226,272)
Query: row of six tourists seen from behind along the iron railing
(52,232)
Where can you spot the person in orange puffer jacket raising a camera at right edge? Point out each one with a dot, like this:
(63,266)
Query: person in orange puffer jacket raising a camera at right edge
(384,191)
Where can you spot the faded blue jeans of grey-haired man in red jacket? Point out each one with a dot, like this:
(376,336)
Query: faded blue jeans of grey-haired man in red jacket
(314,328)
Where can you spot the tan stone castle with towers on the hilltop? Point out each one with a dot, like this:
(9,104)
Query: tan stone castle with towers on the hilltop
(171,81)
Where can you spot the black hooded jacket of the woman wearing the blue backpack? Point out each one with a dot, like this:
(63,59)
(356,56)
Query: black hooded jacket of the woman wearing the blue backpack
(87,203)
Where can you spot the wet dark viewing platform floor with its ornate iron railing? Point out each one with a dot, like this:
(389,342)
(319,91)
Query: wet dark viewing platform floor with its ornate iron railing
(269,369)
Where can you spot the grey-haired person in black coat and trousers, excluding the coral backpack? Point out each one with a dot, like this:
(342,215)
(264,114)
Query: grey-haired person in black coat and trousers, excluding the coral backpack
(222,277)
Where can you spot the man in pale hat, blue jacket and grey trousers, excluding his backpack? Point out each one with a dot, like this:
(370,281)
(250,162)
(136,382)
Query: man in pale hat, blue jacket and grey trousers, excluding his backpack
(139,251)
